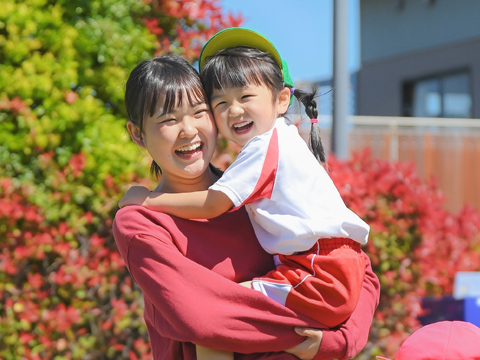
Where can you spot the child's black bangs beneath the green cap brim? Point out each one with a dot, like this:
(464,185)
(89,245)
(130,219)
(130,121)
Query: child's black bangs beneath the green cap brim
(227,70)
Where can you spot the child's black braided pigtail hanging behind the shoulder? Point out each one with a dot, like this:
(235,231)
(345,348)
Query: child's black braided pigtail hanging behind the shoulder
(315,142)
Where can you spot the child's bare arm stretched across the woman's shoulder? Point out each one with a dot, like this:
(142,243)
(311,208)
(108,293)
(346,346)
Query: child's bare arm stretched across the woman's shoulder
(205,204)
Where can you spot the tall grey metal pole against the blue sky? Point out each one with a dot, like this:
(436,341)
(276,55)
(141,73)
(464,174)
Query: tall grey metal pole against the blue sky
(340,80)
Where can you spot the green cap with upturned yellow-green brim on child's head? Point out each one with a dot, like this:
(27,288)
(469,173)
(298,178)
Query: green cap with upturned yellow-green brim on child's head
(237,36)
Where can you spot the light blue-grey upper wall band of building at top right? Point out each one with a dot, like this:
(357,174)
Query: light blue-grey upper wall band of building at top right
(388,29)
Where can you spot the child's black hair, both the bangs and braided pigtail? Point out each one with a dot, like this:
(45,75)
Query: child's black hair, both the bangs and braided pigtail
(241,66)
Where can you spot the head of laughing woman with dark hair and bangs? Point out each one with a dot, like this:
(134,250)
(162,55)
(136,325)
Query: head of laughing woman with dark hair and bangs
(178,134)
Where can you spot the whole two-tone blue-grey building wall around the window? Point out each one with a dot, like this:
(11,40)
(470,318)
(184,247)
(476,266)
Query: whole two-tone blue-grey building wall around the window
(418,39)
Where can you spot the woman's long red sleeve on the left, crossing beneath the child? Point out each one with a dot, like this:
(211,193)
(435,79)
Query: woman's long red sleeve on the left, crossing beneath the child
(194,304)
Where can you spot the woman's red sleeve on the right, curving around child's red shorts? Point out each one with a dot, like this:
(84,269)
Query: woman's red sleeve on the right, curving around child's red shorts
(351,337)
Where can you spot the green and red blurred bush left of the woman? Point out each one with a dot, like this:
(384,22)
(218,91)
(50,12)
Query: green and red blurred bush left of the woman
(65,161)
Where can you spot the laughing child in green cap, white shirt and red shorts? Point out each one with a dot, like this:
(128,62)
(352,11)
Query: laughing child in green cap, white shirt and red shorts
(295,209)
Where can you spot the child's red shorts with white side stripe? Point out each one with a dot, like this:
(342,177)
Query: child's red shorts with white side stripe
(322,283)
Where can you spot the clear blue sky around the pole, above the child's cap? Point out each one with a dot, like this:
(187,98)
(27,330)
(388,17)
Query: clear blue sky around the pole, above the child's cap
(301,30)
